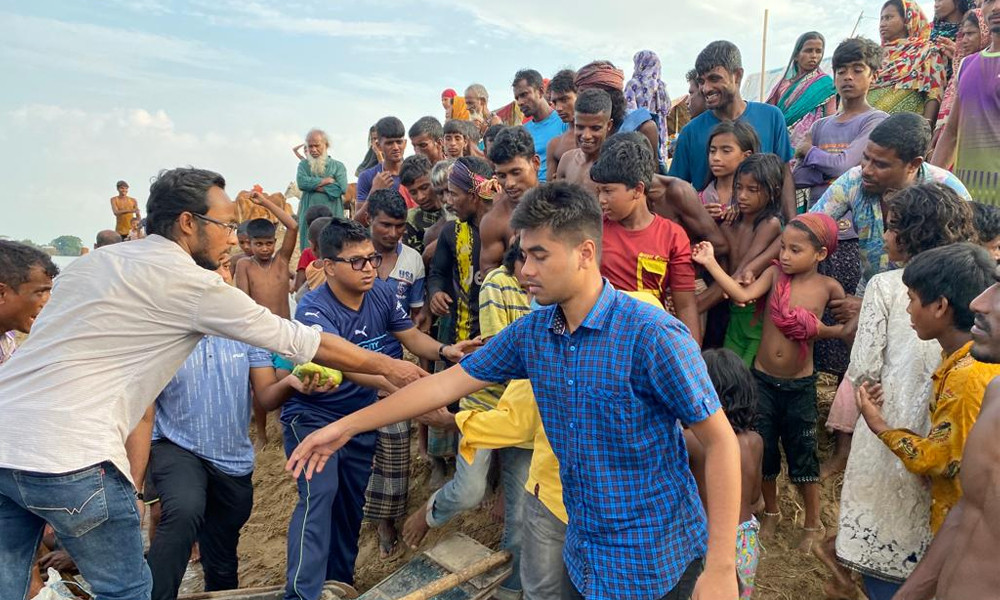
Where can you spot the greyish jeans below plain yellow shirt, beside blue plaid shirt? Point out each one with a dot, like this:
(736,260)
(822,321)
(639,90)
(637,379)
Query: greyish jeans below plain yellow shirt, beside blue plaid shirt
(543,572)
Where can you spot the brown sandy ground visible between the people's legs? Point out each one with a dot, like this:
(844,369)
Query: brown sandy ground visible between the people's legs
(784,573)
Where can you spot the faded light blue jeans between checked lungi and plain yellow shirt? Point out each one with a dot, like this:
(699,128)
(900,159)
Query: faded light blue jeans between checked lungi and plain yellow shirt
(466,490)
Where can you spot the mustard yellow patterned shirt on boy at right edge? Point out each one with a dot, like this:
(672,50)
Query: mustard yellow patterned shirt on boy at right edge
(959,385)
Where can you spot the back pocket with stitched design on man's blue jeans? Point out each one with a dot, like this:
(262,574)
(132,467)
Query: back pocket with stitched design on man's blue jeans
(73,503)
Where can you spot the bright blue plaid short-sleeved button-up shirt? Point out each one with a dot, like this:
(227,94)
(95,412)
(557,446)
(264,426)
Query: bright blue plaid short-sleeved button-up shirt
(612,395)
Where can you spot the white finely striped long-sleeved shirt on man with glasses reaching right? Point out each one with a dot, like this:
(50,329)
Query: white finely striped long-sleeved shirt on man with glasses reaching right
(120,322)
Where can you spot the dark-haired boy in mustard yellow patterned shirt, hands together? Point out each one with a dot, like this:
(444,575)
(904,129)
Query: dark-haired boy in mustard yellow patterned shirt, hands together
(941,283)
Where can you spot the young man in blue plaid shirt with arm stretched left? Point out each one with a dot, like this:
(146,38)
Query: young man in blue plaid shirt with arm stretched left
(614,379)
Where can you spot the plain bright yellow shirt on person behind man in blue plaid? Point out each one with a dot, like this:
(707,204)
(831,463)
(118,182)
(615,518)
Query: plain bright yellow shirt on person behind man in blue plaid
(516,422)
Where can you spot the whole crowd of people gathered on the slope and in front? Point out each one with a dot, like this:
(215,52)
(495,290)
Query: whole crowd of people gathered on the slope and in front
(626,334)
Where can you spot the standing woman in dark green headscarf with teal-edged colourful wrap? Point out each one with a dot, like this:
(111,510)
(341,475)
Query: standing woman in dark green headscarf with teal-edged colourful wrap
(805,93)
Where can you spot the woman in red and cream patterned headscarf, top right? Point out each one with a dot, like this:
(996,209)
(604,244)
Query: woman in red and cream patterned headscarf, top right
(914,71)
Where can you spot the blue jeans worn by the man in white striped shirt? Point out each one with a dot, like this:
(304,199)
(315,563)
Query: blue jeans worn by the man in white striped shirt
(93,512)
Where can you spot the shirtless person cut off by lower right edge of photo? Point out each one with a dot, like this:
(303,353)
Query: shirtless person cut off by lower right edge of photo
(961,563)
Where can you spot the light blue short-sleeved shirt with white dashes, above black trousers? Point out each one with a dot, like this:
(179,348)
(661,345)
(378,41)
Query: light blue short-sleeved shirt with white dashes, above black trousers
(205,408)
